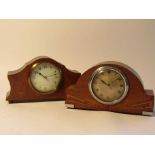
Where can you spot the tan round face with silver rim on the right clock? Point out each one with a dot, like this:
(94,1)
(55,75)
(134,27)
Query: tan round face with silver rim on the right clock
(108,85)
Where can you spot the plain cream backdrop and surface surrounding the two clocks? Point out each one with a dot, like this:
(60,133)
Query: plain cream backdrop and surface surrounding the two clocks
(78,44)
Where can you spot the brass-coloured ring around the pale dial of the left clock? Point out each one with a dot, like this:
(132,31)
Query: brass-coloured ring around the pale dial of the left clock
(33,87)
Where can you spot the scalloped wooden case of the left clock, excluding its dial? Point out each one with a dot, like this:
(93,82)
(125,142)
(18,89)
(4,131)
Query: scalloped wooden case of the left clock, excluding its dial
(22,91)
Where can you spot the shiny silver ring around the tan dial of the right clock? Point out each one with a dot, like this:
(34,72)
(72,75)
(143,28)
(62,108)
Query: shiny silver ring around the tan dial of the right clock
(101,70)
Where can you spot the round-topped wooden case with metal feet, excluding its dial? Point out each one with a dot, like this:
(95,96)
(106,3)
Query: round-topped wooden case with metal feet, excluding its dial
(137,101)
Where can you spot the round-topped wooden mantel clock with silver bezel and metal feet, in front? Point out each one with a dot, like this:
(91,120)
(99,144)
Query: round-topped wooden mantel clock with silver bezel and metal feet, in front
(111,86)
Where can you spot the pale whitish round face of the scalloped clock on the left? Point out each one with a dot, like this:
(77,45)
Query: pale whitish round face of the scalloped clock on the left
(45,77)
